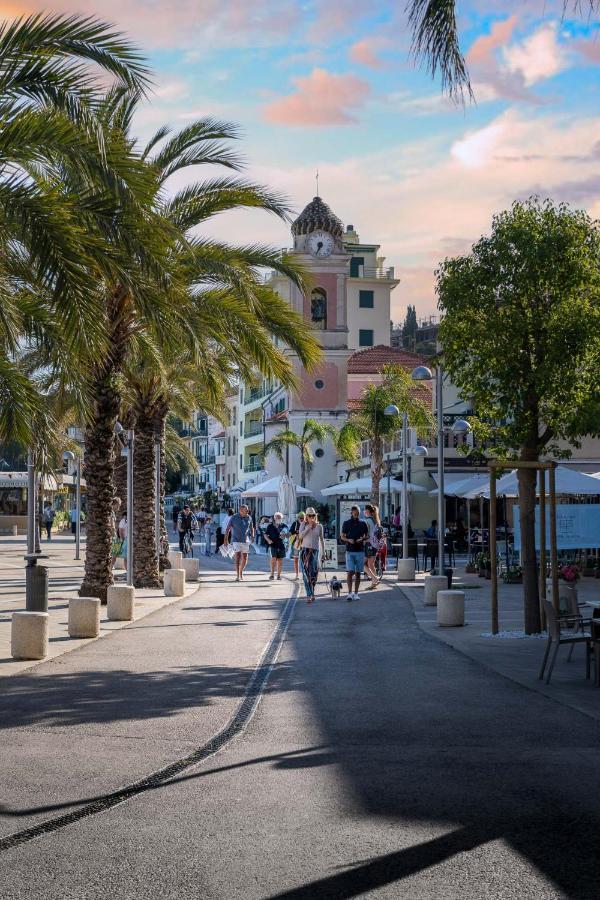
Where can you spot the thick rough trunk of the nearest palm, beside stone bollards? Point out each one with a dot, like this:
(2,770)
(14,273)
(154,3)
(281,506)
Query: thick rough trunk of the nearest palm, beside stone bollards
(99,462)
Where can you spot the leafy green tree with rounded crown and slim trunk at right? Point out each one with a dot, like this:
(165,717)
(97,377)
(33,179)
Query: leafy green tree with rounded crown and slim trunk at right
(521,336)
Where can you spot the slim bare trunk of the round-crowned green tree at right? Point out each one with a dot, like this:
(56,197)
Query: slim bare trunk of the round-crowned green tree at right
(527,497)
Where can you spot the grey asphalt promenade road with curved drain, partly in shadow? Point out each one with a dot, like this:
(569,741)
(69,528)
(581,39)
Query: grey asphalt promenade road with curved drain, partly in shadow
(379,763)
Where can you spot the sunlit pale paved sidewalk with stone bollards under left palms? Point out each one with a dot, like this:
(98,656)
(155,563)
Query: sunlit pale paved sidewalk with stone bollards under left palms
(65,574)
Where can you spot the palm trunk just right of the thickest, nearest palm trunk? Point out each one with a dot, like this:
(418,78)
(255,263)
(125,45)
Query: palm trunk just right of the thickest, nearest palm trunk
(145,557)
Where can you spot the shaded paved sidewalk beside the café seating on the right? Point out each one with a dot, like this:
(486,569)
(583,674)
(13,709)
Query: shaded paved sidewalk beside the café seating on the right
(517,658)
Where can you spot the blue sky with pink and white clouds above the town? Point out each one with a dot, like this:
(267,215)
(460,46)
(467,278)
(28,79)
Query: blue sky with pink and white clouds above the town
(330,86)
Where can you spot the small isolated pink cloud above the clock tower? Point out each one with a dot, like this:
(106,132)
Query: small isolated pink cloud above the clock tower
(321,100)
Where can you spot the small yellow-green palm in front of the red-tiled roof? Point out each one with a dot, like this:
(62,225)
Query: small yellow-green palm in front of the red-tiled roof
(368,422)
